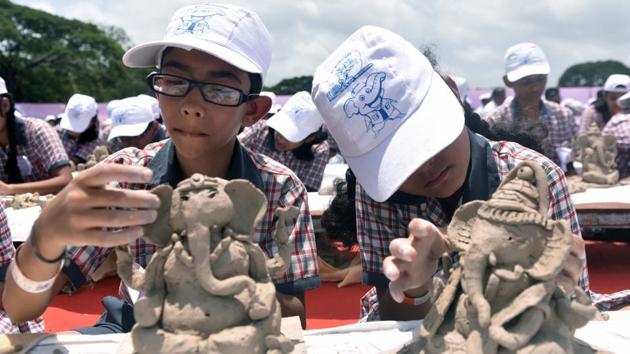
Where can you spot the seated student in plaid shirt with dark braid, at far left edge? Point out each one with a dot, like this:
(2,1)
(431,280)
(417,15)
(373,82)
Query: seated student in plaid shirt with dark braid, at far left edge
(32,157)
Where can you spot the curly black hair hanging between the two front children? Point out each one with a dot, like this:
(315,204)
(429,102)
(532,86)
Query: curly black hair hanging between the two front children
(339,220)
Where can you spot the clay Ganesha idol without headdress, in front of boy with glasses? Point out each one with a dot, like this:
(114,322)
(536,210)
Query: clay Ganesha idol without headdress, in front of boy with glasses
(208,287)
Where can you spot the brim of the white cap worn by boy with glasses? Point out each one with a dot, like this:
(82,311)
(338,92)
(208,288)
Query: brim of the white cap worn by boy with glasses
(146,55)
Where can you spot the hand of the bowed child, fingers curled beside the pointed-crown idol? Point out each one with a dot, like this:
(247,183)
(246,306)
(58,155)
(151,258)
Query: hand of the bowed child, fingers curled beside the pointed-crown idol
(414,259)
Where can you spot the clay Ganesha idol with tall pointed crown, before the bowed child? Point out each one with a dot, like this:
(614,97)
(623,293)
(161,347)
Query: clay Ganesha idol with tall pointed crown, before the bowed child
(502,296)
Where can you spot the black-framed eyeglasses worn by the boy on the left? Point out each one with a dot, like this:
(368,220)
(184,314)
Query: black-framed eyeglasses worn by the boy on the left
(176,86)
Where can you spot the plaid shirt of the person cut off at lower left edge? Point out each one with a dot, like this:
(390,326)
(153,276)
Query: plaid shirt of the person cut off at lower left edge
(7,252)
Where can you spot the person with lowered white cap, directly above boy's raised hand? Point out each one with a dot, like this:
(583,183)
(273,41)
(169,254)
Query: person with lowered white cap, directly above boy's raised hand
(79,127)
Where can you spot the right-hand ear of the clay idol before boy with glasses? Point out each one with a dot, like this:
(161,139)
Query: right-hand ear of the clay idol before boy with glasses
(249,205)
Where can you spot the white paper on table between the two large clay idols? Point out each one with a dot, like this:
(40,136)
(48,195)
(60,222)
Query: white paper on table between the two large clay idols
(361,338)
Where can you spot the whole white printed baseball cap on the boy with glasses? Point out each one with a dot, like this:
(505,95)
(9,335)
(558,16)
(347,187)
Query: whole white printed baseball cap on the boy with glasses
(230,33)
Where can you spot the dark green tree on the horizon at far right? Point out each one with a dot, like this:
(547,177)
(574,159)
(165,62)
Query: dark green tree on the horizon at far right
(591,73)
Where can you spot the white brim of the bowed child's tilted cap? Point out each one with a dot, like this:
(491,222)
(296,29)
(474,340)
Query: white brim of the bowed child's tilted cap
(434,126)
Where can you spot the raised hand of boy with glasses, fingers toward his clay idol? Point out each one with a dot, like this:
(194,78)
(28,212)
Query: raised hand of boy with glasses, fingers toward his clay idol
(88,208)
